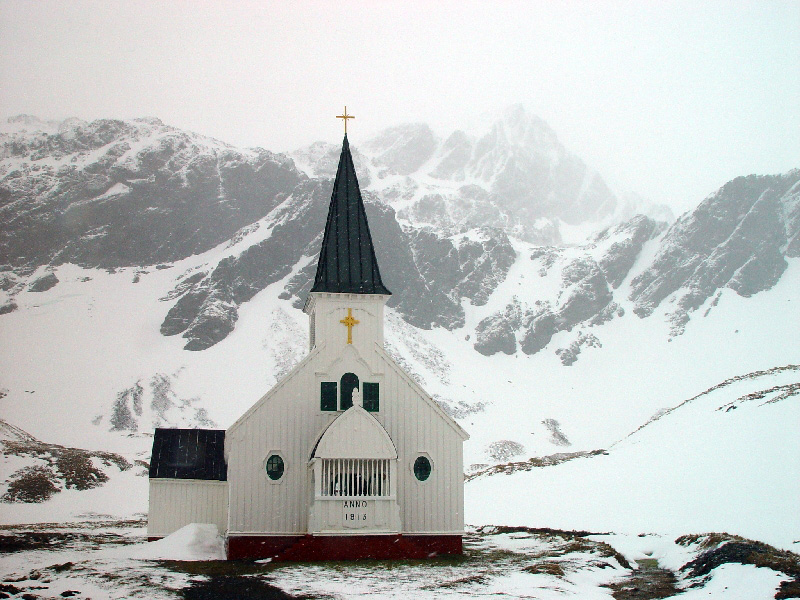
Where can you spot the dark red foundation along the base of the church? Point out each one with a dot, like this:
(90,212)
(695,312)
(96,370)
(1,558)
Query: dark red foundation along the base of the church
(352,547)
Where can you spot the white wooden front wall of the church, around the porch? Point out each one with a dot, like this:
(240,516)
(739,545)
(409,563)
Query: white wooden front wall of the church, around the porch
(288,421)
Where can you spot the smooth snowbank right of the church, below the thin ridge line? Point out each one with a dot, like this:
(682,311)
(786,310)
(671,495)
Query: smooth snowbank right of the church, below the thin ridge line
(701,467)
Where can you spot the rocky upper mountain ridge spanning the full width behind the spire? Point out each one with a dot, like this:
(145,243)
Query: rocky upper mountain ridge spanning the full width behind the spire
(112,194)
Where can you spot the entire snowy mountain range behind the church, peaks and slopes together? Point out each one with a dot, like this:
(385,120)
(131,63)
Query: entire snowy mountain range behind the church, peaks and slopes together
(151,276)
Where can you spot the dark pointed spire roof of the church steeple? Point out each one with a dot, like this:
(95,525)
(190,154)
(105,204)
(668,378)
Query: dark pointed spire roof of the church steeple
(347,261)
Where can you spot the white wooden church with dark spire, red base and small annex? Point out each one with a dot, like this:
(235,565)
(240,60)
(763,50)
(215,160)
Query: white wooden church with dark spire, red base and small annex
(346,457)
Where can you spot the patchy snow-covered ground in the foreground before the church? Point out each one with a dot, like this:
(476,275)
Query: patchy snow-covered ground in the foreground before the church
(113,561)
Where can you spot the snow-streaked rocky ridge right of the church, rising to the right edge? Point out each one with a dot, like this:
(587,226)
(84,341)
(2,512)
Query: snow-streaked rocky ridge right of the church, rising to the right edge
(739,238)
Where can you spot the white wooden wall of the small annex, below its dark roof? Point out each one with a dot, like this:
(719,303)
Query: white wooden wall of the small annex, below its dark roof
(178,502)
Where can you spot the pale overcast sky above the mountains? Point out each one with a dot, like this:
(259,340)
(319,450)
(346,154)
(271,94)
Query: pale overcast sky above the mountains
(668,99)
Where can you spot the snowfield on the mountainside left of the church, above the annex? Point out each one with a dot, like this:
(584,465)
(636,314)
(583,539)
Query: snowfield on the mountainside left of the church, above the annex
(73,346)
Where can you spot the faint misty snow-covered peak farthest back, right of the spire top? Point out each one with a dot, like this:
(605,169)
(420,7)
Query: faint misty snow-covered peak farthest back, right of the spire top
(511,174)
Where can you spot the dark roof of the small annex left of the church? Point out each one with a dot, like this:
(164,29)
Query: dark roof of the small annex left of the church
(189,454)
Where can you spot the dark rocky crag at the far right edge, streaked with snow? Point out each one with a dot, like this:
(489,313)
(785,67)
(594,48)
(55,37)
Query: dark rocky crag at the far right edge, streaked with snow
(737,238)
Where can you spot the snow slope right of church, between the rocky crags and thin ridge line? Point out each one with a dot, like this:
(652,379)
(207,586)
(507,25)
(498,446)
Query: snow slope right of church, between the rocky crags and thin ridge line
(610,391)
